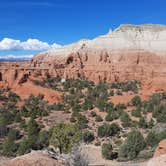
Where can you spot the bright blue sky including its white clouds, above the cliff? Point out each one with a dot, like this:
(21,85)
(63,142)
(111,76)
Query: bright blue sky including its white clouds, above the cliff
(46,22)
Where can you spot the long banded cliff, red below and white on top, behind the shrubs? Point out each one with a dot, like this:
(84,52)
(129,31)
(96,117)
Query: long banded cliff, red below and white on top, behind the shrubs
(130,52)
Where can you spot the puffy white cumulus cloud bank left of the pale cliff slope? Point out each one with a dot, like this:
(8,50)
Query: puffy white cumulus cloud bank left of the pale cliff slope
(30,44)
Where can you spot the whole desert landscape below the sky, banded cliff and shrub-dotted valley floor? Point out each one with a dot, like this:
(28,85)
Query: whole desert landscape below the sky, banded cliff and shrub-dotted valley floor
(93,102)
